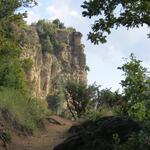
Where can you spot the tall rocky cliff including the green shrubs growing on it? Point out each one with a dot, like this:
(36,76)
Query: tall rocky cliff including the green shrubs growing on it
(52,59)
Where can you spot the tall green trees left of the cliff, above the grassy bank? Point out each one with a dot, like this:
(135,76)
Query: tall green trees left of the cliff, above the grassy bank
(11,70)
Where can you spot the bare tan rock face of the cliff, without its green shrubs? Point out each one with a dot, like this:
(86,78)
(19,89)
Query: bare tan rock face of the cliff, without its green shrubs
(49,71)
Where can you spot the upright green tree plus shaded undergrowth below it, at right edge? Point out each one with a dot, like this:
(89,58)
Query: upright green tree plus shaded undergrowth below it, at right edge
(136,102)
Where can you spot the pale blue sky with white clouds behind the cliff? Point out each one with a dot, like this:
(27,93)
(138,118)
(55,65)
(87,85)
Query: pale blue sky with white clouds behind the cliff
(103,59)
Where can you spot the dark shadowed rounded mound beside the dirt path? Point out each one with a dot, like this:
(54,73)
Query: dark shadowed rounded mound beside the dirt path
(100,134)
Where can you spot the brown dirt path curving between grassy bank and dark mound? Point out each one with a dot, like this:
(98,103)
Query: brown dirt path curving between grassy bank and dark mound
(46,140)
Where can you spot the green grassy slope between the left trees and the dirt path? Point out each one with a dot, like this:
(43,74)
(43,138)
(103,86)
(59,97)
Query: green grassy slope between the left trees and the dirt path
(26,110)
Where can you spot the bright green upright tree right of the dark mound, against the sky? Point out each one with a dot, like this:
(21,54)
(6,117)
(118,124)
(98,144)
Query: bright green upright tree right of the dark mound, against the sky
(136,86)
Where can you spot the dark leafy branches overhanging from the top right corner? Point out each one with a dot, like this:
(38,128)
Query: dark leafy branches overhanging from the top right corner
(113,14)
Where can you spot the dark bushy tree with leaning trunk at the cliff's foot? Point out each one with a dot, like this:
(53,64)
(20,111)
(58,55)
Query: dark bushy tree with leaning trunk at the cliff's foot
(80,97)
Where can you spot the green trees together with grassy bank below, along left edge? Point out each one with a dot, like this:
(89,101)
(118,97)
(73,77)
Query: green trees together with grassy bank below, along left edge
(14,91)
